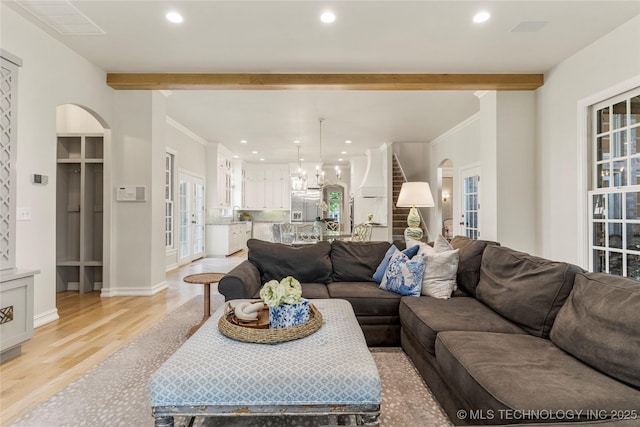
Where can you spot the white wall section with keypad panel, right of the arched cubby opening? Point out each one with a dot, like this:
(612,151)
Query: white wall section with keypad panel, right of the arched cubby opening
(139,148)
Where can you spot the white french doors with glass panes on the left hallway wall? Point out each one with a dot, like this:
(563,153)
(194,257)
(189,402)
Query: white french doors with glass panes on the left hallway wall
(191,217)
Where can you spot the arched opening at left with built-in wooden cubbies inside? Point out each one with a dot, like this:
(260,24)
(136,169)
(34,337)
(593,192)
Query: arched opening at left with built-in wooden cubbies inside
(82,210)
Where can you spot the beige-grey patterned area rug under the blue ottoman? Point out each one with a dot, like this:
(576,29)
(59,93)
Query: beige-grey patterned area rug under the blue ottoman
(114,393)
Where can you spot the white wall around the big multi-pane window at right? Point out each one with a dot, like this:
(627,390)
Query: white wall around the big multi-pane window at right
(607,62)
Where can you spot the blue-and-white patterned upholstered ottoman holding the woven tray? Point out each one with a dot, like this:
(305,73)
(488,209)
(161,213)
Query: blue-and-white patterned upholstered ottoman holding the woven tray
(329,373)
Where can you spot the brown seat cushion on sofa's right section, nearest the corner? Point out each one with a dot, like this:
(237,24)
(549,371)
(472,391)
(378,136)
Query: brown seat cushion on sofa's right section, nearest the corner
(425,317)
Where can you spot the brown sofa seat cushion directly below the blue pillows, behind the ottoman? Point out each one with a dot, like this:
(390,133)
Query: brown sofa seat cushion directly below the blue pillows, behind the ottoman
(366,298)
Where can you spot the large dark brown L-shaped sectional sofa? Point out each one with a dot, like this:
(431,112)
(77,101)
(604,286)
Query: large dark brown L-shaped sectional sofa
(523,339)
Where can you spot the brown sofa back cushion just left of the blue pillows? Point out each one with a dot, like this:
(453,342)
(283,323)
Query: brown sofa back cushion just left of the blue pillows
(356,261)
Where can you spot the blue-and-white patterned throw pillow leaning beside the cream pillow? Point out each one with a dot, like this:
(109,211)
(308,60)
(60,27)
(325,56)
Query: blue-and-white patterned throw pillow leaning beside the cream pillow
(404,274)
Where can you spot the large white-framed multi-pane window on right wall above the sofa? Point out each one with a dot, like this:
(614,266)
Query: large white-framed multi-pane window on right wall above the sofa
(614,201)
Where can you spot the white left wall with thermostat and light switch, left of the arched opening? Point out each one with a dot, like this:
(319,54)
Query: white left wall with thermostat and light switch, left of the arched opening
(51,75)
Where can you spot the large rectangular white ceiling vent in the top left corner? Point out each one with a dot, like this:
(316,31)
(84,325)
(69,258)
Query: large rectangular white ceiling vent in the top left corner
(62,16)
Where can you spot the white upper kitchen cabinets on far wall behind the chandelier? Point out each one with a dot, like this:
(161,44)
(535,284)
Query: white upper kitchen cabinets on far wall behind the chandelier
(267,186)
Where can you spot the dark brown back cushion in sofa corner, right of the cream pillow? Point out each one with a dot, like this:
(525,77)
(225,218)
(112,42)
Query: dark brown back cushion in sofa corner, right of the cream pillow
(470,257)
